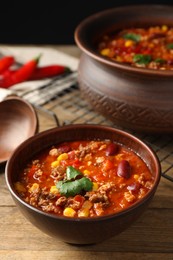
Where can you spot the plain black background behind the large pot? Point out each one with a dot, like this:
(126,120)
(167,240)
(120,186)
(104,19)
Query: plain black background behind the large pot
(52,22)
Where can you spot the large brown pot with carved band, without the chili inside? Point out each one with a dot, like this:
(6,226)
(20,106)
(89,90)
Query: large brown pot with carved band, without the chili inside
(134,98)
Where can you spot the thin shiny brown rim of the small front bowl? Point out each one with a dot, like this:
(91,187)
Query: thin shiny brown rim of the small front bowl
(42,134)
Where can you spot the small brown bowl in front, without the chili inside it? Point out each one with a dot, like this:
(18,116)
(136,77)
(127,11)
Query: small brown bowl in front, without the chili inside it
(73,230)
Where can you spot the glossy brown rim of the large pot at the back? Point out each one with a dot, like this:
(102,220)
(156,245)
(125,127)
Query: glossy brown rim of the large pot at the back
(86,22)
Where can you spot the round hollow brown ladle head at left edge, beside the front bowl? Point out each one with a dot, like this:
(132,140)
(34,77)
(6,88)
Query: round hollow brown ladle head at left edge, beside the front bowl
(18,122)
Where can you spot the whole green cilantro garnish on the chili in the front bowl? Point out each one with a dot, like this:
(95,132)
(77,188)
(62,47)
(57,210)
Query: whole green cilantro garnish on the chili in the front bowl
(74,184)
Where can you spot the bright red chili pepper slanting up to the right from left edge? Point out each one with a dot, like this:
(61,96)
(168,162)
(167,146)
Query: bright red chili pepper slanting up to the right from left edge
(20,75)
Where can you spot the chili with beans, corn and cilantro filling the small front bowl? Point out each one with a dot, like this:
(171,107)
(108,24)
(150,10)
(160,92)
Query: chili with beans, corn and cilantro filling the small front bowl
(84,179)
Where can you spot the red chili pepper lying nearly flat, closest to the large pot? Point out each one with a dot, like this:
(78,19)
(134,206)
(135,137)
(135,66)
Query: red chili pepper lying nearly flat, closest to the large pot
(48,71)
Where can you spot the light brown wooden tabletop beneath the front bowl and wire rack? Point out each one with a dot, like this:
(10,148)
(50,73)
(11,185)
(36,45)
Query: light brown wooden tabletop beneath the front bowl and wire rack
(150,237)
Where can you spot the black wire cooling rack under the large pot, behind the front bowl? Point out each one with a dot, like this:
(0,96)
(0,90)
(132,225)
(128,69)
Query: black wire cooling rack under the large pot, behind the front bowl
(61,103)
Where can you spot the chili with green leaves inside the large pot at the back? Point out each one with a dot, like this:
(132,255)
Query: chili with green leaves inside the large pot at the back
(150,47)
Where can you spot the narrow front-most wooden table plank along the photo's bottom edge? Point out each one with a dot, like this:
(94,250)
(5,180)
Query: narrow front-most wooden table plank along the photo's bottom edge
(78,255)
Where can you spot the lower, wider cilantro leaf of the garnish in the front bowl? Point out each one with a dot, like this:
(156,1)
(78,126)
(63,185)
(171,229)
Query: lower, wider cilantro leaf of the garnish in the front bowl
(72,188)
